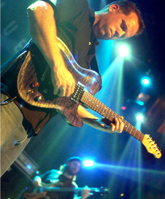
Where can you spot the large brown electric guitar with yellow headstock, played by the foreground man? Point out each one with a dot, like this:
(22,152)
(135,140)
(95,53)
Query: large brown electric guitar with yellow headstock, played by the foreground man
(37,91)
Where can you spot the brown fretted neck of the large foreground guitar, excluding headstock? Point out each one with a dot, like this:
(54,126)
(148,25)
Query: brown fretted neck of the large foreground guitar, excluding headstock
(93,103)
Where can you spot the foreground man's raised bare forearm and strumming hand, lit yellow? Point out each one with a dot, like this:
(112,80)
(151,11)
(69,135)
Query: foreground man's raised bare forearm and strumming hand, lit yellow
(44,32)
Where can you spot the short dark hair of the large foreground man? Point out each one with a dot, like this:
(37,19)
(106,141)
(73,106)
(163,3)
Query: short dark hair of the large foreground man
(127,7)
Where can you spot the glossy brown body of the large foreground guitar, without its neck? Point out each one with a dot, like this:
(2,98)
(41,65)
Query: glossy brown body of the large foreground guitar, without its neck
(42,94)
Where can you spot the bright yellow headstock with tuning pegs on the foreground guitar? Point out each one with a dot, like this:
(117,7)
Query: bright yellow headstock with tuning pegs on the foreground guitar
(151,146)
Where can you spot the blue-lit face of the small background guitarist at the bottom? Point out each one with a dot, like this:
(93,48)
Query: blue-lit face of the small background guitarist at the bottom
(73,167)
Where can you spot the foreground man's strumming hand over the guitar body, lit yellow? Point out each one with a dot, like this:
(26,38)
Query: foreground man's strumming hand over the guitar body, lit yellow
(63,81)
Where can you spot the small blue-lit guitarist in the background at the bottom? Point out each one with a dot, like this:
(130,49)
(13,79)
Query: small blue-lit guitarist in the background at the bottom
(65,177)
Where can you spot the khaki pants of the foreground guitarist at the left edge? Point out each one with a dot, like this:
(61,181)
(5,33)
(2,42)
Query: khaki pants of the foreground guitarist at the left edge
(13,135)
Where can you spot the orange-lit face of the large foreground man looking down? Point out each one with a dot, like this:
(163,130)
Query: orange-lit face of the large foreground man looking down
(116,25)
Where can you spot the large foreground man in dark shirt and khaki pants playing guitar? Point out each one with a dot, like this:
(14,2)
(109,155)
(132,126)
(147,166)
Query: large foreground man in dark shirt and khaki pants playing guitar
(79,27)
